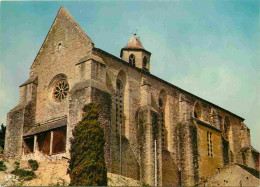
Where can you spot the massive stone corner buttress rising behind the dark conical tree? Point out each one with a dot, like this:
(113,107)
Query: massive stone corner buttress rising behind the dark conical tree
(90,78)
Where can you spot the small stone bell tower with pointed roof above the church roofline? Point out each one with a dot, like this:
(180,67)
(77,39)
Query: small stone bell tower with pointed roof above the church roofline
(135,54)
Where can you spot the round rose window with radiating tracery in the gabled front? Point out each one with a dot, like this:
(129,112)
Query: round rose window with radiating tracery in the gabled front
(60,90)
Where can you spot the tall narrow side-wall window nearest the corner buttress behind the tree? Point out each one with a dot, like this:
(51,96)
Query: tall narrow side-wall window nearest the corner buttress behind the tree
(119,107)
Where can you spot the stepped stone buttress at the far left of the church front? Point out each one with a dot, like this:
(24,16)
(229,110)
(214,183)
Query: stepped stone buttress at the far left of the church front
(20,119)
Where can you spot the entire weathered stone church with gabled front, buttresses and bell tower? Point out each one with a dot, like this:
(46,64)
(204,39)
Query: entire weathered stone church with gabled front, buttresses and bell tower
(155,132)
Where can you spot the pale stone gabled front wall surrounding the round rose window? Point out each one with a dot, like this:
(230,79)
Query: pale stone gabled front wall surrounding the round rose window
(63,47)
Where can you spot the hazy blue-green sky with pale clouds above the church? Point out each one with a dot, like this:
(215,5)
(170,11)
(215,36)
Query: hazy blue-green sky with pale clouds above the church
(209,48)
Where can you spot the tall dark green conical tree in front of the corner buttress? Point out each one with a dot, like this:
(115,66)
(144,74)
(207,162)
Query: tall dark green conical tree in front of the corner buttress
(87,163)
